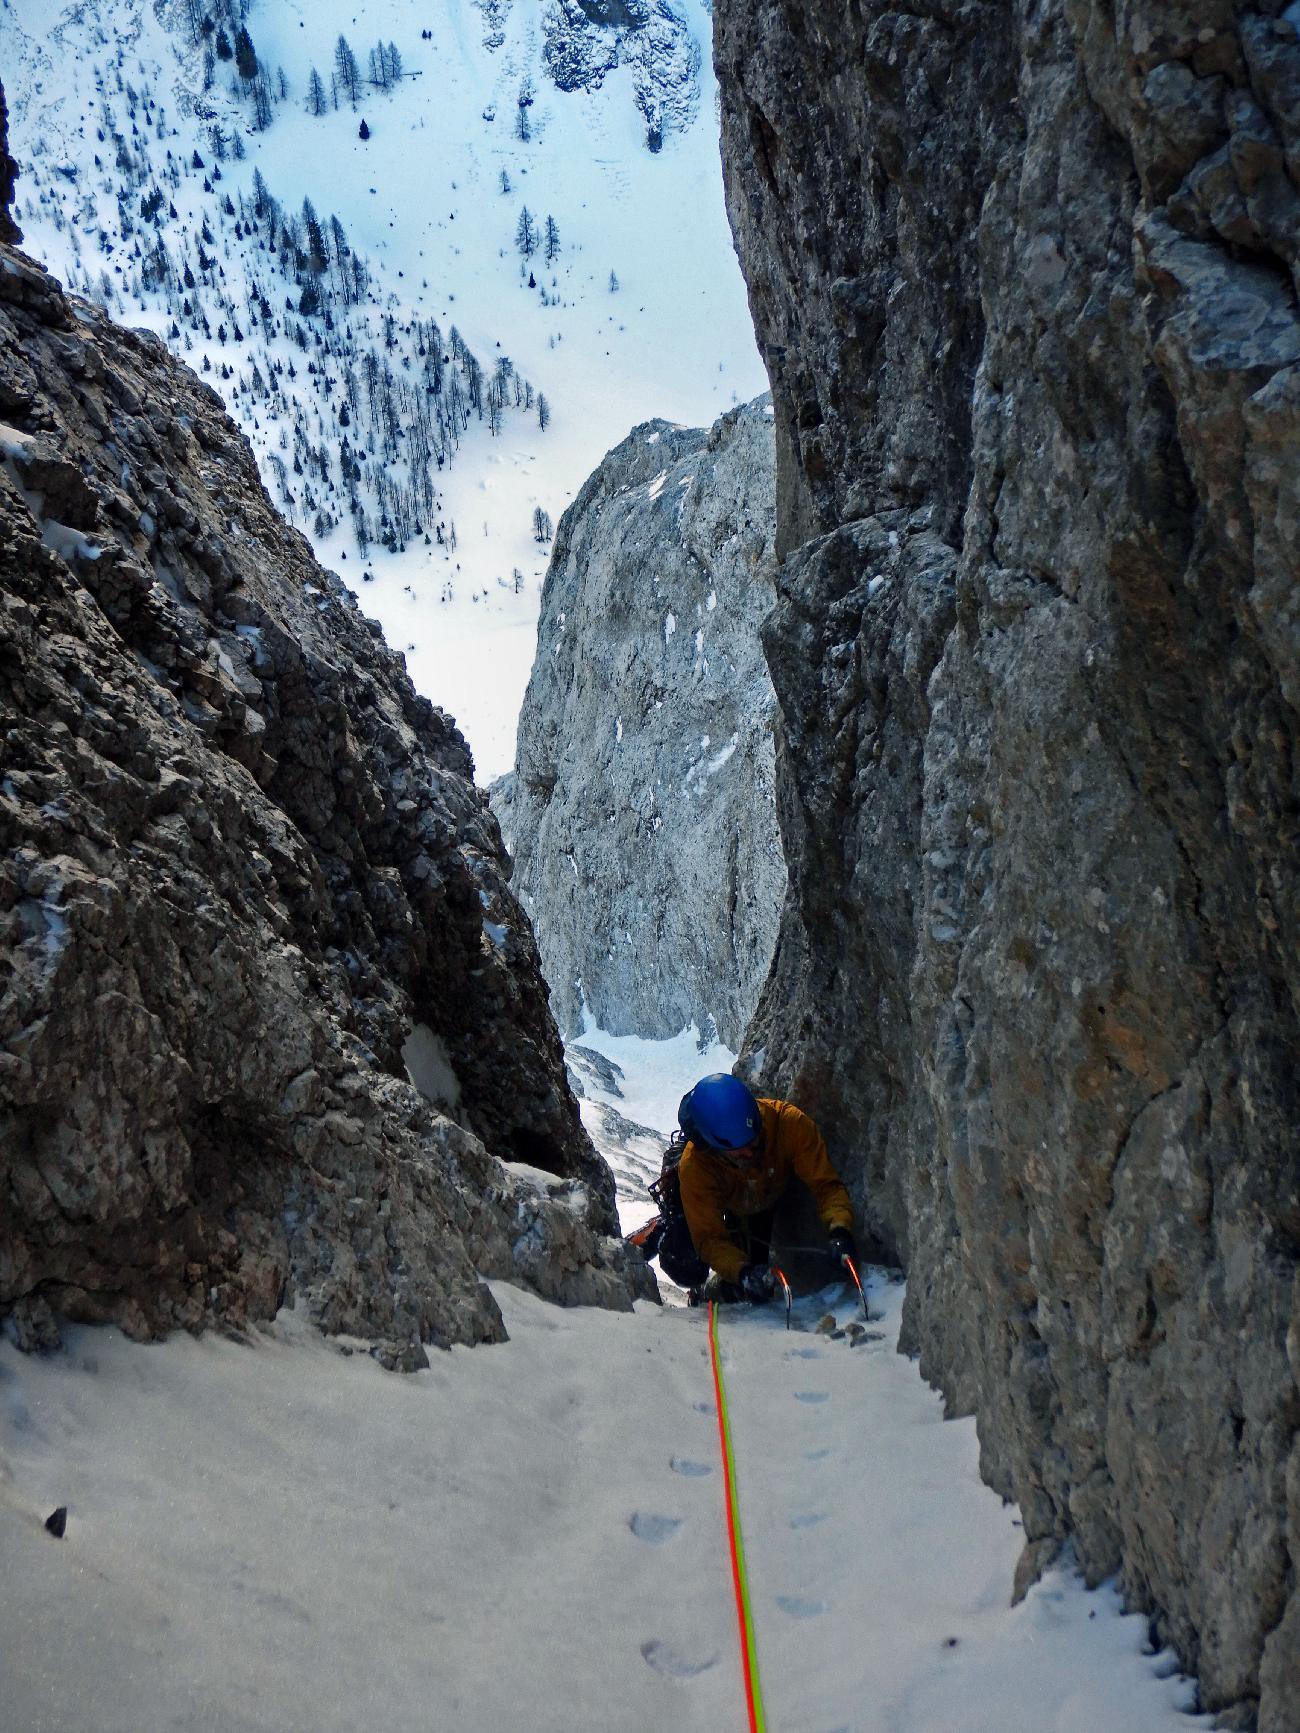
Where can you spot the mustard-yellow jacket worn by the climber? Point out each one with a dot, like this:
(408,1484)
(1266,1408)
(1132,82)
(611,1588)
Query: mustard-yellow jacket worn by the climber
(713,1185)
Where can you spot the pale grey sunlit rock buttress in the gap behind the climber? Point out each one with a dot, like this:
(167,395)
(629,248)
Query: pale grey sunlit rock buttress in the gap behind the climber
(640,812)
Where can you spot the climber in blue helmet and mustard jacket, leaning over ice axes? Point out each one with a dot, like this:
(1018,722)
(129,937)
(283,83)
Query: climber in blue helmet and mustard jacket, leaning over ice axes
(739,1160)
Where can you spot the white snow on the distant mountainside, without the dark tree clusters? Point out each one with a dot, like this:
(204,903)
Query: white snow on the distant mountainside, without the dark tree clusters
(422,202)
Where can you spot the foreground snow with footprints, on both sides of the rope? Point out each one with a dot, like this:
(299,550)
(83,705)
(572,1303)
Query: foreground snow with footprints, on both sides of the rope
(287,1538)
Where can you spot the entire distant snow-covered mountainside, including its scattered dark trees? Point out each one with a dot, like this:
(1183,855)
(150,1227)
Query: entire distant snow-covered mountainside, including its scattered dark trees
(434,332)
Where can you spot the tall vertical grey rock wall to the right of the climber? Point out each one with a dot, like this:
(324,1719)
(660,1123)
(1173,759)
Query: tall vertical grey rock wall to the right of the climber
(1025,280)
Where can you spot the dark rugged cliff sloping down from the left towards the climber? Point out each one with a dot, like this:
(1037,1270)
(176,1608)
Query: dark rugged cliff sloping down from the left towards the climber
(245,886)
